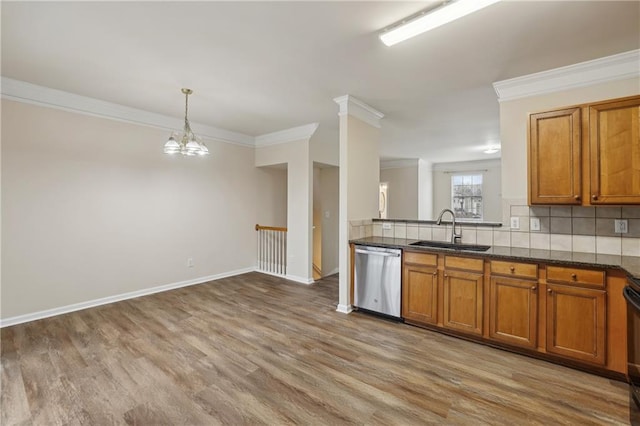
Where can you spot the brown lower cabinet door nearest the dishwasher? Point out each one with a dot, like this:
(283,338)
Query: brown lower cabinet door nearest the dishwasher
(420,293)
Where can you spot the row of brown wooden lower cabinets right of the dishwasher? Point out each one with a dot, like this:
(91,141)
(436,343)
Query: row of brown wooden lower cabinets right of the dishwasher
(572,315)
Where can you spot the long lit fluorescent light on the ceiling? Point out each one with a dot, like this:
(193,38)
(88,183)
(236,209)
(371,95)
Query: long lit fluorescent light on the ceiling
(432,19)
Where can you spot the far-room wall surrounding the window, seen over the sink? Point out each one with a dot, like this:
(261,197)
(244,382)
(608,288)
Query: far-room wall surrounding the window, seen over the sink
(491,185)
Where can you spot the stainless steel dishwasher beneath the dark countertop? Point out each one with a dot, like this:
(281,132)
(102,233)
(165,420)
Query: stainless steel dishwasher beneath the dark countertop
(377,280)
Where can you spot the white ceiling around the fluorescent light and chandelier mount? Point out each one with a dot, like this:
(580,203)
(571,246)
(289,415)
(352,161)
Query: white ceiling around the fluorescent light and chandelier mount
(261,67)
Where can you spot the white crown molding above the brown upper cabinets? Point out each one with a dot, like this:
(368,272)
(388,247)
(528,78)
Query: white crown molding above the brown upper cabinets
(610,68)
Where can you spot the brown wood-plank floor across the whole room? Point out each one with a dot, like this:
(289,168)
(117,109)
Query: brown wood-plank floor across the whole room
(255,349)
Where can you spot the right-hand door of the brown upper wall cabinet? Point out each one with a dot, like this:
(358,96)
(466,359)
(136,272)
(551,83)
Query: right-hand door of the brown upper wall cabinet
(614,136)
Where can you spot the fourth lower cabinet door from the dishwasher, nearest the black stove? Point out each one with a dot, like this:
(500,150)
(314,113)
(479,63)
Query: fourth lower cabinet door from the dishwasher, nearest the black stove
(576,320)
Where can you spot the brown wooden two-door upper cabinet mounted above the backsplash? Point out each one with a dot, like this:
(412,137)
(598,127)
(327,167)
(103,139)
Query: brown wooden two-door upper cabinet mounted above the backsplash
(586,155)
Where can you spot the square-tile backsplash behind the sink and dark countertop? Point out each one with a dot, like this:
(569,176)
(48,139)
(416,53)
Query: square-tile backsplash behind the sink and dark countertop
(566,228)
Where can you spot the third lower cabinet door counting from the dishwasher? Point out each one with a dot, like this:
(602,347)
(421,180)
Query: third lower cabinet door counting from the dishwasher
(513,311)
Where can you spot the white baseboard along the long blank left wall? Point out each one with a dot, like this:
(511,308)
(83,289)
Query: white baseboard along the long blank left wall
(116,298)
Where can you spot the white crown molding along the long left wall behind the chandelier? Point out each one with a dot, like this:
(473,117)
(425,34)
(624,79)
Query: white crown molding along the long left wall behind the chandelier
(22,91)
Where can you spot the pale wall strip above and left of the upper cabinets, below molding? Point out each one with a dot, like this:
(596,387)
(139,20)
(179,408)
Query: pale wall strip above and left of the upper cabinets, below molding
(514,122)
